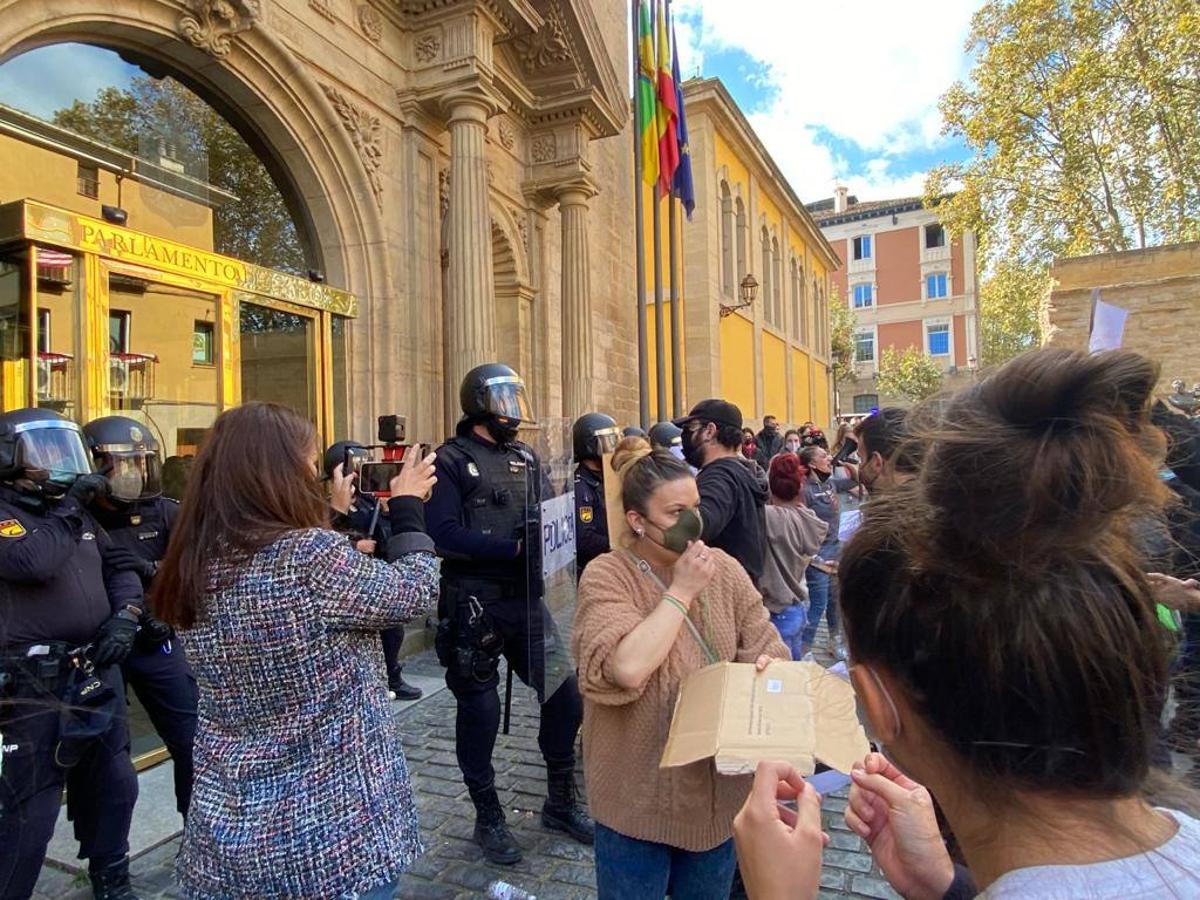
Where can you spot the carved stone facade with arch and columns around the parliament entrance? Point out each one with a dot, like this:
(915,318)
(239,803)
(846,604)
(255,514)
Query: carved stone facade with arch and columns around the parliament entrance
(461,166)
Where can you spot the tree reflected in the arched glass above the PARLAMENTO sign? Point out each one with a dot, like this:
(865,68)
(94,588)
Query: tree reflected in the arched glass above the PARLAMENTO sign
(155,115)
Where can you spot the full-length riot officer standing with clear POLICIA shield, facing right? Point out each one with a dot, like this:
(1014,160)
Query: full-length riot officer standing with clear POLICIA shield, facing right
(491,605)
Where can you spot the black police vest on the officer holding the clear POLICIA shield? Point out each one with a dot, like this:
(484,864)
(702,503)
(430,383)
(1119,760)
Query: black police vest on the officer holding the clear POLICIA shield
(497,491)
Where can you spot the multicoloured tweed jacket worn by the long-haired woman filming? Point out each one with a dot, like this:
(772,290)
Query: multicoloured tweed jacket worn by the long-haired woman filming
(302,789)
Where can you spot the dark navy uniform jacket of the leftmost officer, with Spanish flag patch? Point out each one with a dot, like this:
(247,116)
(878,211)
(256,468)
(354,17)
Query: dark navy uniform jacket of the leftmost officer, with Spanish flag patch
(58,587)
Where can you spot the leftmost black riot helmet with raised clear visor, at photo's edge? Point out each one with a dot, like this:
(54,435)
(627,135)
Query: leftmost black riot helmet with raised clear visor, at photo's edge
(43,451)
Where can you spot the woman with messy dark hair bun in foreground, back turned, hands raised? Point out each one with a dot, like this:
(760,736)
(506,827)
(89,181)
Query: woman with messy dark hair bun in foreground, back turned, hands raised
(1007,655)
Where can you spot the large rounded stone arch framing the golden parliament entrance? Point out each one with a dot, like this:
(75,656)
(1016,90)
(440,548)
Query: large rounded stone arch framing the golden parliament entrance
(313,139)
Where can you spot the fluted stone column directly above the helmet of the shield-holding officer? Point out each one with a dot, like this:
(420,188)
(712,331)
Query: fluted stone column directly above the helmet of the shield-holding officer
(471,305)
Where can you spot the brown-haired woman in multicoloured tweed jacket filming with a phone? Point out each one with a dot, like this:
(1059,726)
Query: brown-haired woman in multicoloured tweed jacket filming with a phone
(302,788)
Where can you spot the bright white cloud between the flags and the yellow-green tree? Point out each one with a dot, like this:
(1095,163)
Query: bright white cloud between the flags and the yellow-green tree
(871,74)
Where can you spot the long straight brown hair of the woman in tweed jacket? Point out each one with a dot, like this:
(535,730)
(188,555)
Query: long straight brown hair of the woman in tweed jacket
(253,482)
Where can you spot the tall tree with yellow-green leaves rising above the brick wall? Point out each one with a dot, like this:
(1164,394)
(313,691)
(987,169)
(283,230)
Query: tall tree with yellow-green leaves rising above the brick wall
(1084,117)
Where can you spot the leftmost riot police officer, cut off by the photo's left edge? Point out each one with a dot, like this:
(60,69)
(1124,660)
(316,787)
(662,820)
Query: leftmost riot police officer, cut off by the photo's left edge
(69,619)
